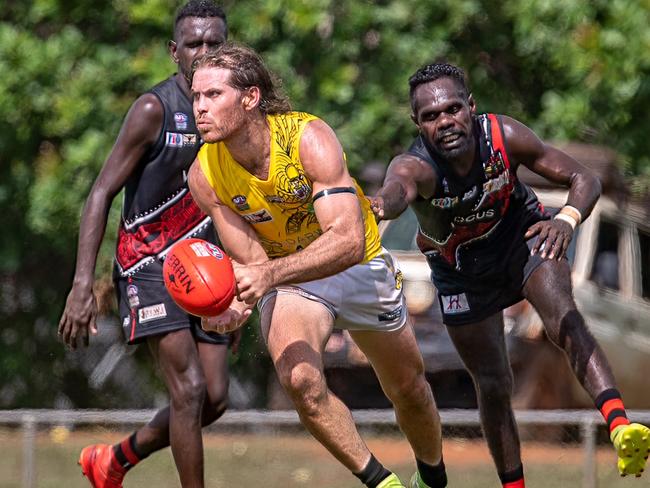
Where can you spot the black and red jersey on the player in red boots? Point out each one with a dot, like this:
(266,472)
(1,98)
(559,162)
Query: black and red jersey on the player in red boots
(158,209)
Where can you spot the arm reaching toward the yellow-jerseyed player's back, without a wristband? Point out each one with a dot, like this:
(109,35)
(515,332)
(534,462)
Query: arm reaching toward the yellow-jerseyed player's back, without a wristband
(405,174)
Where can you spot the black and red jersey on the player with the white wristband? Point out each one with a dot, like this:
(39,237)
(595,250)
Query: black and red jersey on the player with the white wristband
(469,219)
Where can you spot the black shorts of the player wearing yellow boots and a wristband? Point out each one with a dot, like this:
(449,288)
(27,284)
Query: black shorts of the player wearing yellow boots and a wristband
(466,300)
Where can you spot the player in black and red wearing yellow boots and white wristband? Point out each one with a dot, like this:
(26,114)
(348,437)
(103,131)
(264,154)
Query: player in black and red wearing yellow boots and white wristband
(490,243)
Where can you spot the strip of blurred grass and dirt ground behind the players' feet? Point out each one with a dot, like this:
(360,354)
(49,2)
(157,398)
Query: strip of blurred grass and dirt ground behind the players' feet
(288,461)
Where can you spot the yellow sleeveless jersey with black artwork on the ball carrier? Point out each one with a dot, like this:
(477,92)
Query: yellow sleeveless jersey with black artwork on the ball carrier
(279,208)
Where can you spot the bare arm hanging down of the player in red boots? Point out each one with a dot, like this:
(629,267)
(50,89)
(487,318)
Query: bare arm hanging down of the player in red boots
(139,132)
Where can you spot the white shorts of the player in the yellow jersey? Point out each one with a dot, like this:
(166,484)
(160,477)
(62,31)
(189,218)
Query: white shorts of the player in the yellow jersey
(367,296)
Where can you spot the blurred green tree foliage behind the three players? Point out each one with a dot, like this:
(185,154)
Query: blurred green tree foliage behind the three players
(70,69)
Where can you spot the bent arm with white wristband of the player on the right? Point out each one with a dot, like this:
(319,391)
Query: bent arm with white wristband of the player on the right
(524,147)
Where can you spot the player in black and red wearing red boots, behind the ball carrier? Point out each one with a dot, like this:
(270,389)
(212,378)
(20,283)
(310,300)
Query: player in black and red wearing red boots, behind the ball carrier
(153,151)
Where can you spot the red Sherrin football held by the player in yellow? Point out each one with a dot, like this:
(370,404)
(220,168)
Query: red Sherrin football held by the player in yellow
(199,277)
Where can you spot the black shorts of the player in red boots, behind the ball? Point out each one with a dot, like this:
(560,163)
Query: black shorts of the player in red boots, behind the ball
(146,310)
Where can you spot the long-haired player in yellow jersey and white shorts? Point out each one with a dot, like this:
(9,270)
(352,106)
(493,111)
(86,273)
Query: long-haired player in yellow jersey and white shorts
(306,251)
